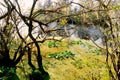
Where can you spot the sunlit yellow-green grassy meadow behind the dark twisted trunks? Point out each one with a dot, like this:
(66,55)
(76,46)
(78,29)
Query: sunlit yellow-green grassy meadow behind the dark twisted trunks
(69,60)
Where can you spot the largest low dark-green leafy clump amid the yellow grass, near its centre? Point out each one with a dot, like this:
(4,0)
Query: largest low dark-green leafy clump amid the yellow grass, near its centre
(62,55)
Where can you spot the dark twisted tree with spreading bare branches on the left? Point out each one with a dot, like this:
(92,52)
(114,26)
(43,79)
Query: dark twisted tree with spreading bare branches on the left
(12,42)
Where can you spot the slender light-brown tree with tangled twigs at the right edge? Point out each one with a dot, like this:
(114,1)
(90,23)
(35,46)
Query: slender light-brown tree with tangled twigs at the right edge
(111,38)
